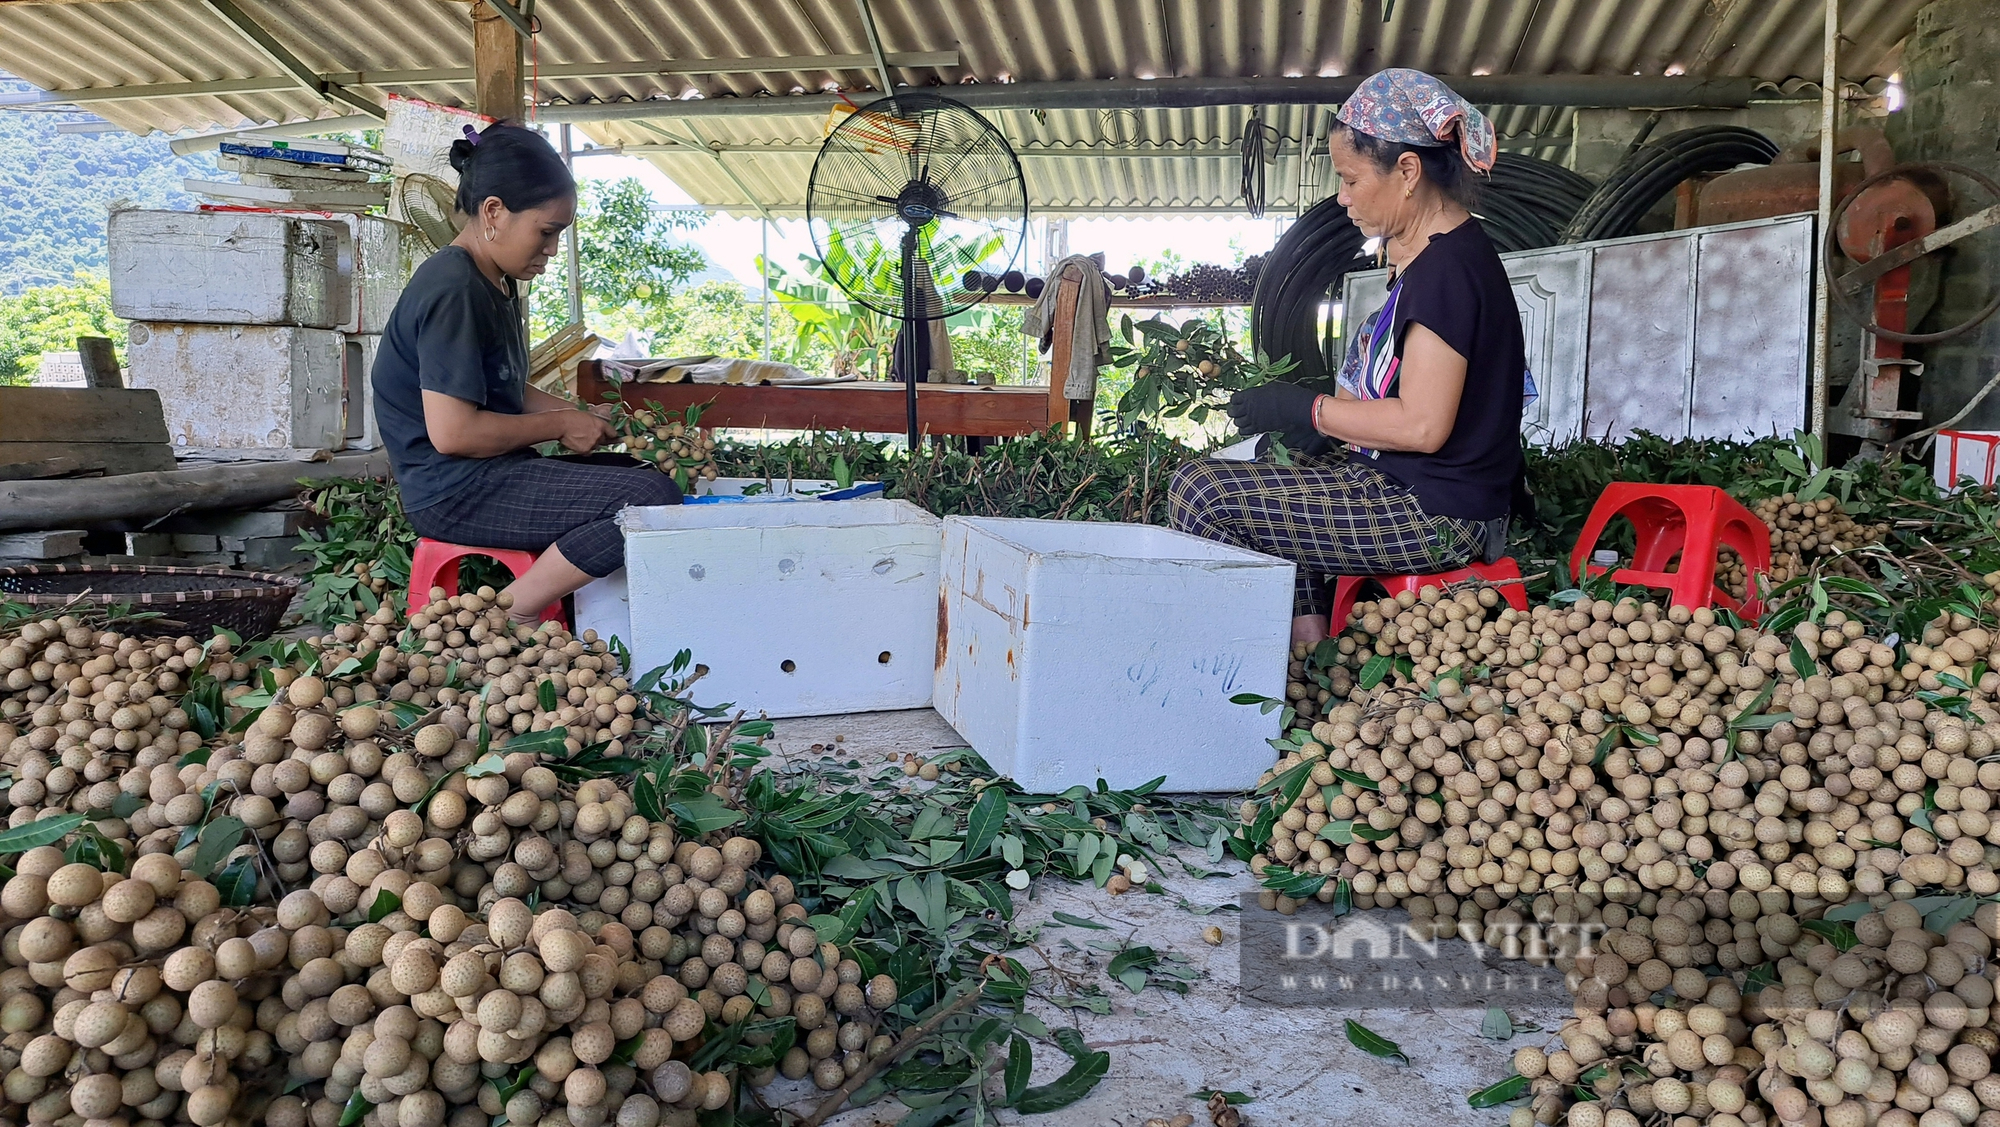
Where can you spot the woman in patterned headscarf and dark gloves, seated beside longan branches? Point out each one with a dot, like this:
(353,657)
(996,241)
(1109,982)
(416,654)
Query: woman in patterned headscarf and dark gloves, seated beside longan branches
(1407,467)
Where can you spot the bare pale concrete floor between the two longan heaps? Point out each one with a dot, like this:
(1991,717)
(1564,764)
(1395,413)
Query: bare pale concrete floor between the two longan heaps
(1293,1060)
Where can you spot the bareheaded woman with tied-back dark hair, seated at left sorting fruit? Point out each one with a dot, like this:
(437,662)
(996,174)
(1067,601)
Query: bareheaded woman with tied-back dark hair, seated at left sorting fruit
(453,397)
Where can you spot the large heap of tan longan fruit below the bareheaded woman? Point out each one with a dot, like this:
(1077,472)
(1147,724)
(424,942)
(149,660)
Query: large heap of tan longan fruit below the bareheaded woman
(437,934)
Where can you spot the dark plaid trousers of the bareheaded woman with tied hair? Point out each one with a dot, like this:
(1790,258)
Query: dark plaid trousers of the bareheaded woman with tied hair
(531,503)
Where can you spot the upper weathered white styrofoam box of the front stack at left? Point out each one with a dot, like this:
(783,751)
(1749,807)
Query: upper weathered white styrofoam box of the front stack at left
(235,269)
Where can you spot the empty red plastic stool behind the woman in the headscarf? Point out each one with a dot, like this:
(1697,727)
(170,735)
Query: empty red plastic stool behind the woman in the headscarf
(1687,521)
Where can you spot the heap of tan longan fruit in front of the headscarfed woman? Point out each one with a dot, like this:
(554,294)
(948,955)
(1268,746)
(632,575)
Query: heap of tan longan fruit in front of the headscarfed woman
(1601,766)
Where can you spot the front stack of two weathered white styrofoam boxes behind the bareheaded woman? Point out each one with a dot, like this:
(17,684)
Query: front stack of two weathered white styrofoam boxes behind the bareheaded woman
(237,325)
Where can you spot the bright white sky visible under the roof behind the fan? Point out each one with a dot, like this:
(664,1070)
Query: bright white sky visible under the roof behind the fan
(733,245)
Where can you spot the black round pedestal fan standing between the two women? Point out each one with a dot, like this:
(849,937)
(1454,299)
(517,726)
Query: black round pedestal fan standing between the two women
(909,195)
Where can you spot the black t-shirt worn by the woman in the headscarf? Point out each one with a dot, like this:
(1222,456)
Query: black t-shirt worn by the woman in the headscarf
(1459,291)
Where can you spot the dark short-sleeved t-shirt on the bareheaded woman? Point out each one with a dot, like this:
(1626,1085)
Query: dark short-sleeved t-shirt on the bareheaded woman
(459,335)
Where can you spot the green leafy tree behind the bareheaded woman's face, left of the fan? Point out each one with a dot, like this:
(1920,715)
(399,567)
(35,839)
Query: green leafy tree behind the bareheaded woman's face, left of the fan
(631,263)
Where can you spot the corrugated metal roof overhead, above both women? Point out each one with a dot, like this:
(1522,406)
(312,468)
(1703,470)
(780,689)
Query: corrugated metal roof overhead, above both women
(67,47)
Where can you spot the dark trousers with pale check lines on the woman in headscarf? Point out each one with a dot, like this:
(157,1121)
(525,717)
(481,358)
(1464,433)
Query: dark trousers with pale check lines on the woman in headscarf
(1327,515)
